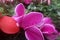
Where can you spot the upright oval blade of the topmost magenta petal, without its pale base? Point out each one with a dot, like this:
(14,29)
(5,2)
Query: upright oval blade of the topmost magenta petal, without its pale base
(20,9)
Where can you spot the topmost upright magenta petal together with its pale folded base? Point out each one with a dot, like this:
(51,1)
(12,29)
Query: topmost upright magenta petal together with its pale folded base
(19,12)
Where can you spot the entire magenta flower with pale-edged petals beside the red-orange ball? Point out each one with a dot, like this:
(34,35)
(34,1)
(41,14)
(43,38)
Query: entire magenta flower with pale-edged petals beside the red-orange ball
(36,26)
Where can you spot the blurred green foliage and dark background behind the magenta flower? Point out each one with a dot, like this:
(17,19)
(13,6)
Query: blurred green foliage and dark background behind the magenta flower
(51,10)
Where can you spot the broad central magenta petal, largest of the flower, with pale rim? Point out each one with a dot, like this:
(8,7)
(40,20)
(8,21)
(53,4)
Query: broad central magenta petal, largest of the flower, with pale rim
(32,18)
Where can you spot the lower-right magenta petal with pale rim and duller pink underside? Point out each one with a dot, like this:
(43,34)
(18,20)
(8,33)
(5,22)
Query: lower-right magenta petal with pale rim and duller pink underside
(49,31)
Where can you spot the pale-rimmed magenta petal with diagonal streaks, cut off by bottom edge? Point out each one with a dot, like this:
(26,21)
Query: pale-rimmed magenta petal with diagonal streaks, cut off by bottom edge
(33,33)
